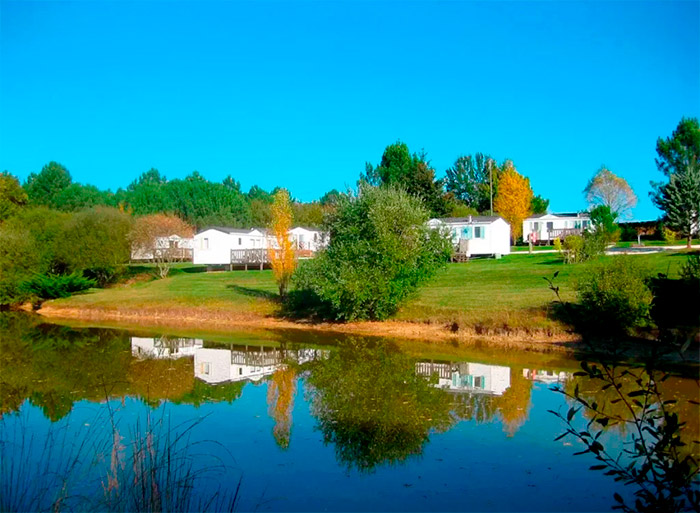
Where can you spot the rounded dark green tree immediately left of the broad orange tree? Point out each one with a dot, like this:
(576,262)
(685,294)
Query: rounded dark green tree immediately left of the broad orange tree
(473,180)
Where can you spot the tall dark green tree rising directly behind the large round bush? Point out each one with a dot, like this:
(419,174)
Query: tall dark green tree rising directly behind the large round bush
(412,172)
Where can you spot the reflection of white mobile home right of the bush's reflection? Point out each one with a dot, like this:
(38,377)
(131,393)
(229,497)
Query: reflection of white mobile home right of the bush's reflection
(467,376)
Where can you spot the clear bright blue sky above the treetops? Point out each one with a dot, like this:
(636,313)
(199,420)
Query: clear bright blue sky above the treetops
(301,95)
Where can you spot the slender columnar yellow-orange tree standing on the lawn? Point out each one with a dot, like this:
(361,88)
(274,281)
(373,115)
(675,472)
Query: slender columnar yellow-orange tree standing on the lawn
(282,256)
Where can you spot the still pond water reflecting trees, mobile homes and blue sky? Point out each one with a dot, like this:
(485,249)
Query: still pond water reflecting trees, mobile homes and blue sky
(110,419)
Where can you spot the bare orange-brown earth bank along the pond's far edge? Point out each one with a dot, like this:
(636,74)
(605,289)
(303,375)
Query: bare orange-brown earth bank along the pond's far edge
(539,341)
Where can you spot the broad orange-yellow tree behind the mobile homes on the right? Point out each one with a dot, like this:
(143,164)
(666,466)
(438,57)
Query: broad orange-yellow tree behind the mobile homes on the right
(514,198)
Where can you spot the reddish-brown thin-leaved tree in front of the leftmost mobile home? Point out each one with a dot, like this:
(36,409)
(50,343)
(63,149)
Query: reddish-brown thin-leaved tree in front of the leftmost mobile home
(151,236)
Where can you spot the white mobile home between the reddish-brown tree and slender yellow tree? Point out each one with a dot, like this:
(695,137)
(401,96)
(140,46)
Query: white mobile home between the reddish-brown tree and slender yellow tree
(213,246)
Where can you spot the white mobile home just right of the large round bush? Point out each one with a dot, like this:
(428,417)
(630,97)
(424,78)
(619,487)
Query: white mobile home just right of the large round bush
(477,235)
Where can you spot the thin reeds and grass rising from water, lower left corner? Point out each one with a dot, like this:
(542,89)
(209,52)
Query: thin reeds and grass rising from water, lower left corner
(105,465)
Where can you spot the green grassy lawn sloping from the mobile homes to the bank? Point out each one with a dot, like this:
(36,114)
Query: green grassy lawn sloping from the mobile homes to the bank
(490,293)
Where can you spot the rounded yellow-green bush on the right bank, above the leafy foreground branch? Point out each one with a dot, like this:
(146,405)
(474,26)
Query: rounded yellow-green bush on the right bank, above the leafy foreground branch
(614,294)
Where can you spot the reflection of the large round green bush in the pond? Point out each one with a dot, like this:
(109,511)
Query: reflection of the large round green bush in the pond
(373,407)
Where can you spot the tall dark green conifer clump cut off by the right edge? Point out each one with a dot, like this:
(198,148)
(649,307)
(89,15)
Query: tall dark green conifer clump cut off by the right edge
(679,160)
